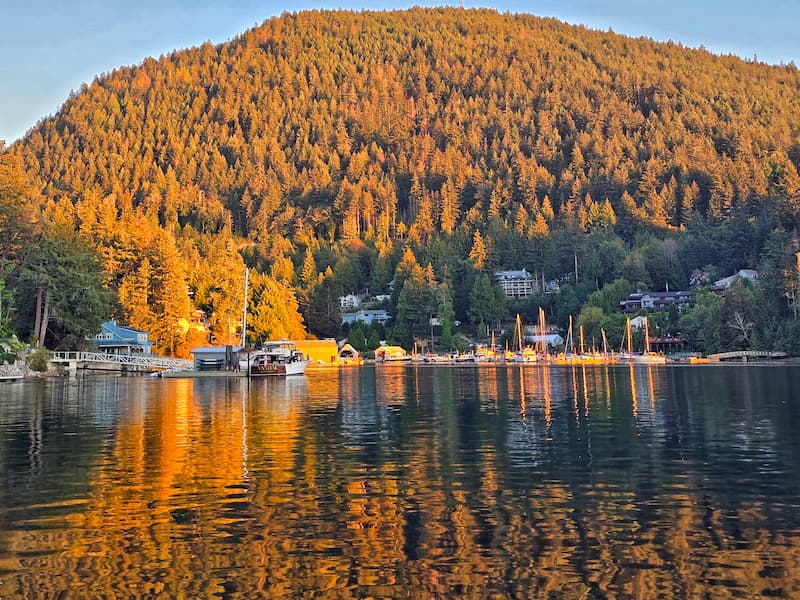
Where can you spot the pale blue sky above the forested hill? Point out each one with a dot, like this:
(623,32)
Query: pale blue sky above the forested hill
(50,47)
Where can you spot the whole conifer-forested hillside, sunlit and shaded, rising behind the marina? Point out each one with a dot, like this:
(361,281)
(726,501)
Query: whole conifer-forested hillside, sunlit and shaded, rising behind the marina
(335,151)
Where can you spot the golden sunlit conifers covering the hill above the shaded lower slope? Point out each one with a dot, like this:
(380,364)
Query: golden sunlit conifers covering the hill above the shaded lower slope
(305,132)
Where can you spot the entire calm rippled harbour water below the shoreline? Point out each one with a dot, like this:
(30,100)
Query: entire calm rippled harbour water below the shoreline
(397,482)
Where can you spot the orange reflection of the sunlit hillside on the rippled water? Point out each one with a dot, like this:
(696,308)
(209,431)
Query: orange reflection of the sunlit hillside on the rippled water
(241,491)
